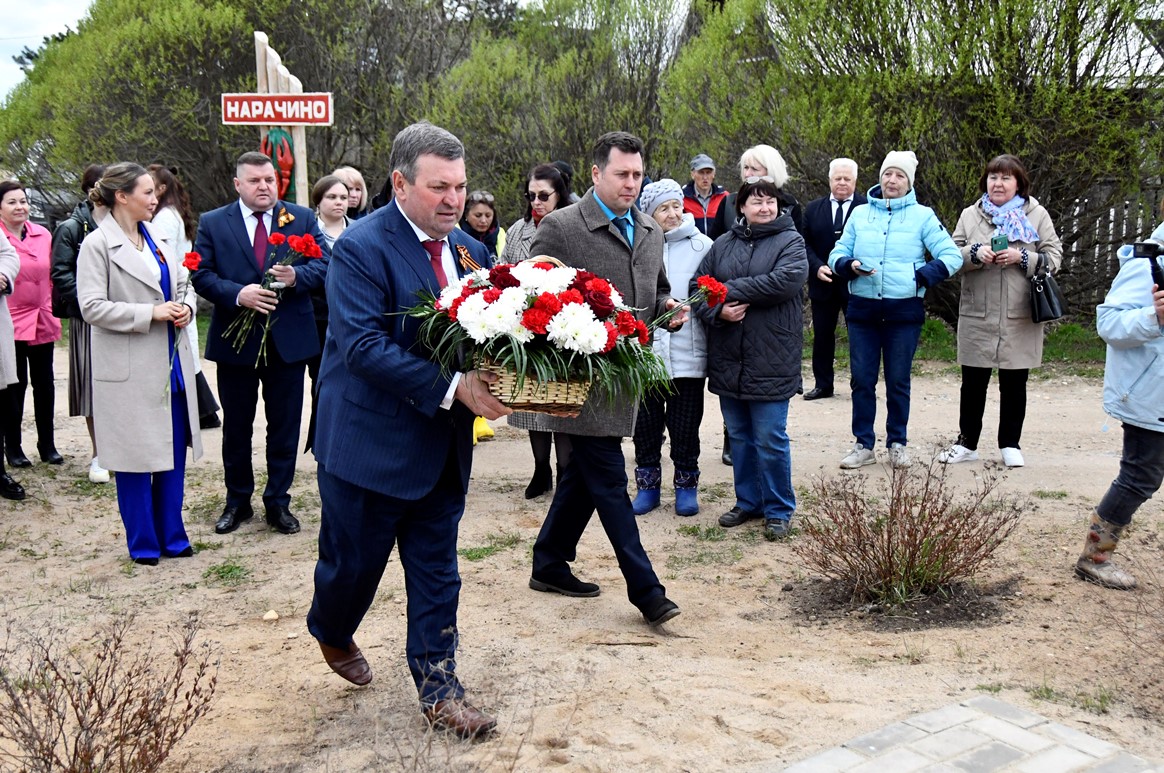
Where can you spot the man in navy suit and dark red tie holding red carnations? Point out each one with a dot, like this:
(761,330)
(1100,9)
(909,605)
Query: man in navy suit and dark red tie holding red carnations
(237,250)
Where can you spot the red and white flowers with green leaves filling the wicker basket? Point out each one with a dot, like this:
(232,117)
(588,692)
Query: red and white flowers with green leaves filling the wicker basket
(545,323)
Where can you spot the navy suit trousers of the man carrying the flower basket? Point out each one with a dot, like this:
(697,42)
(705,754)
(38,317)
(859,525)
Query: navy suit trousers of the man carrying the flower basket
(357,537)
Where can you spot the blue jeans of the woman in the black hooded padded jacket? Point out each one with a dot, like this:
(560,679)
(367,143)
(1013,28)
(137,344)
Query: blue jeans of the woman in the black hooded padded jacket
(762,457)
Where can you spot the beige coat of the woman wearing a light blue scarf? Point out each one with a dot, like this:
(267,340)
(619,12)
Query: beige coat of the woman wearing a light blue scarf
(995,328)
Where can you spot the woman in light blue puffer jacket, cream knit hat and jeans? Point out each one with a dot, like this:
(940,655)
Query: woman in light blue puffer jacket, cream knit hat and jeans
(882,254)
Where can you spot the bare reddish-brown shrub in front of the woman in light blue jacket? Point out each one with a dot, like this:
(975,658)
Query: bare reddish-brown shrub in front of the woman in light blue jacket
(914,535)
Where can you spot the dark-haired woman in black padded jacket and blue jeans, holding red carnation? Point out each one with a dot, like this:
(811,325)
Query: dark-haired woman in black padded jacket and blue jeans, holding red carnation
(755,342)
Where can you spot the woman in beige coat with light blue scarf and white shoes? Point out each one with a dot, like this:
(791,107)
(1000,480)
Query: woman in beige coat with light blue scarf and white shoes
(995,328)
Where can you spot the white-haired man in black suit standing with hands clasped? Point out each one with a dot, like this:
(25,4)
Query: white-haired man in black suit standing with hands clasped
(825,221)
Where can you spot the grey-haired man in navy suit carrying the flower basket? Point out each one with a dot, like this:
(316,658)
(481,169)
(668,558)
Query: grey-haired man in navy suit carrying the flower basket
(395,435)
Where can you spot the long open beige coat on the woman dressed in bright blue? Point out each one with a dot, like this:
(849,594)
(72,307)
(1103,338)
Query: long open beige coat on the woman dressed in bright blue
(118,293)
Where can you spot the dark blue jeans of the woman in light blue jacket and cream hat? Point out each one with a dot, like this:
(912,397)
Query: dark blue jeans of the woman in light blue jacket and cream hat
(869,346)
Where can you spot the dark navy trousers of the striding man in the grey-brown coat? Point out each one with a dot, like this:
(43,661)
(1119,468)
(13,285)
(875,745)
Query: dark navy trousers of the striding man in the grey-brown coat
(595,480)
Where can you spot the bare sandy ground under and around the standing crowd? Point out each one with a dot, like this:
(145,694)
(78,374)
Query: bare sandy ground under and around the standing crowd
(760,669)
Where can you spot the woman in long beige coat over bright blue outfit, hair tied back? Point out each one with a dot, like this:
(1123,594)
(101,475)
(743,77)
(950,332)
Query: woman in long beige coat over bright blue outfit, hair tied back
(137,296)
